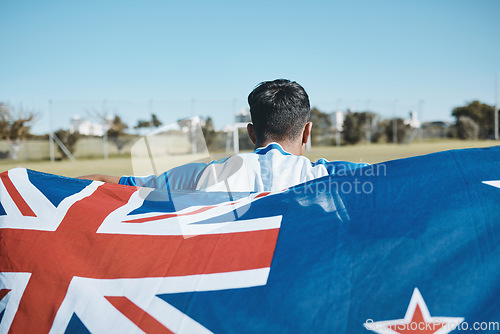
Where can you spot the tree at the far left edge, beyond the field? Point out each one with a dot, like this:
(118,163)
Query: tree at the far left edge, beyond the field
(15,126)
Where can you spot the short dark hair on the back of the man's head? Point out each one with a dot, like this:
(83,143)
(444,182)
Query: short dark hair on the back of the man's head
(279,109)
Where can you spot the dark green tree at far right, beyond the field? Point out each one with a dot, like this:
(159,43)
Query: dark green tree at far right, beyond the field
(482,114)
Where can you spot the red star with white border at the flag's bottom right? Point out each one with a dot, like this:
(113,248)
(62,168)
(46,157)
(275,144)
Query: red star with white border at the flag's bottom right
(417,320)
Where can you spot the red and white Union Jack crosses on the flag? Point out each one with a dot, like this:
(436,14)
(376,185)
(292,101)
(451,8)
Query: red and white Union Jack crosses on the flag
(108,267)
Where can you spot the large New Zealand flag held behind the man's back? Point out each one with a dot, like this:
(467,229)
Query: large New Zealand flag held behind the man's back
(407,246)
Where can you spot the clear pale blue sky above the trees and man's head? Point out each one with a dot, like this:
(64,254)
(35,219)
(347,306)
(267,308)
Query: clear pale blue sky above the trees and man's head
(345,53)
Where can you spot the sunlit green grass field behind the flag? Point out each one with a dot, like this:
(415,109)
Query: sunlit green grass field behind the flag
(359,153)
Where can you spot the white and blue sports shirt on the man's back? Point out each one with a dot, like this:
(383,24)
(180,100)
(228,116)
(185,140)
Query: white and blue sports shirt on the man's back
(269,168)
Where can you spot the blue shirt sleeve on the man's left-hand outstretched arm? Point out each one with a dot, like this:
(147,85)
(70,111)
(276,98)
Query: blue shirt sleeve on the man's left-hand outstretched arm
(182,177)
